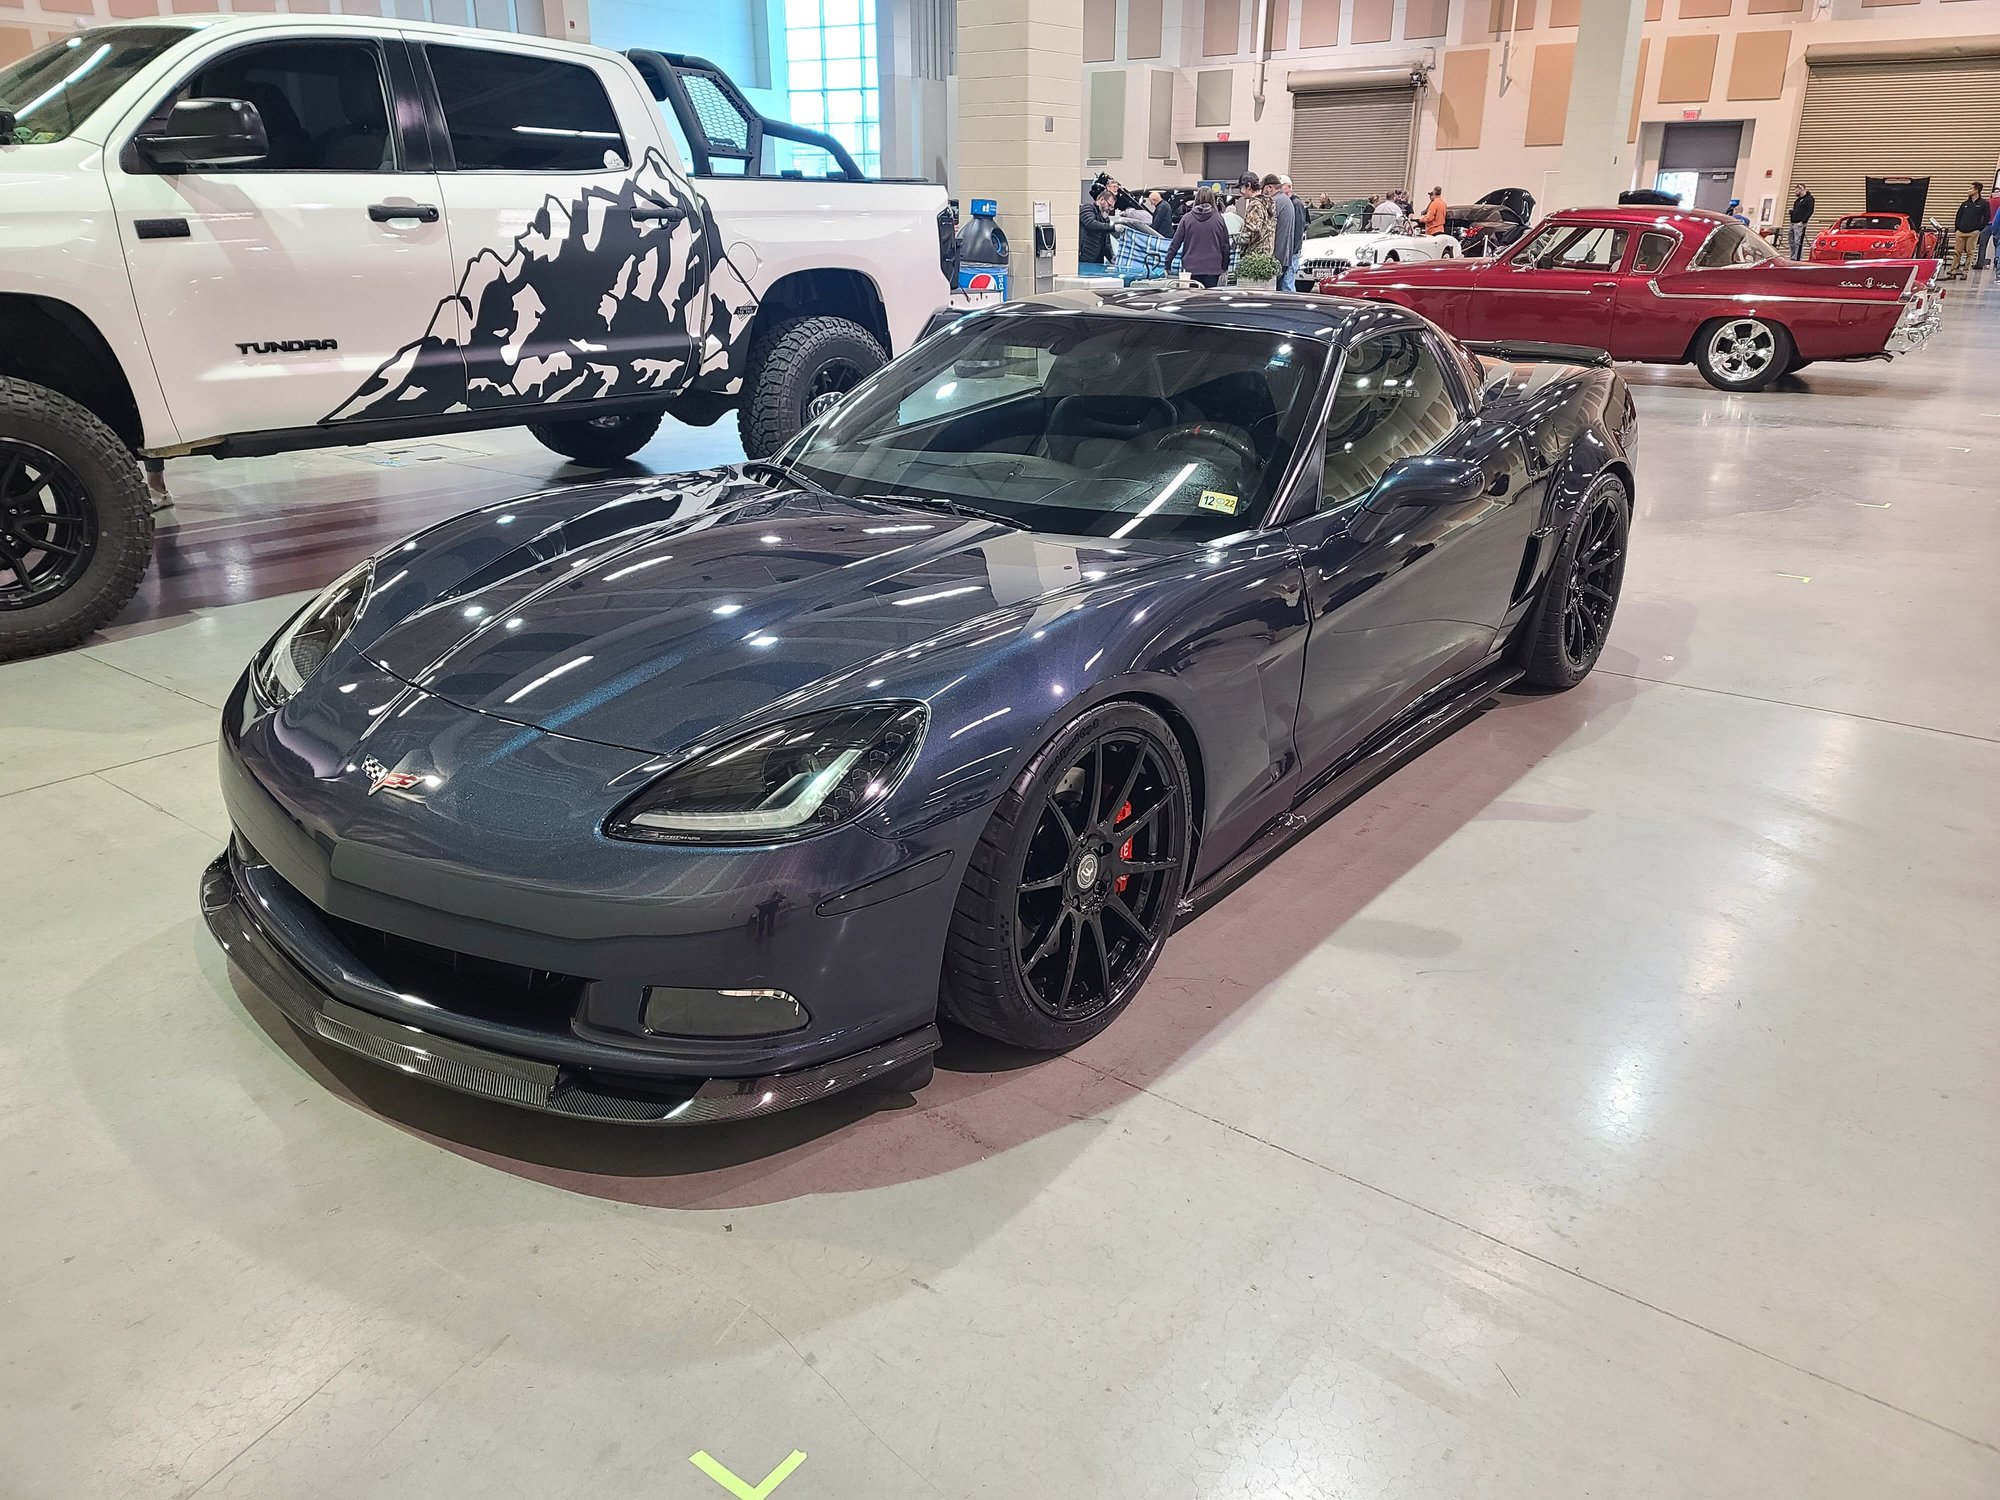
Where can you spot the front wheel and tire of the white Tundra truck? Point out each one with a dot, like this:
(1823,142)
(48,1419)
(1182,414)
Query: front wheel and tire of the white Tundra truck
(75,521)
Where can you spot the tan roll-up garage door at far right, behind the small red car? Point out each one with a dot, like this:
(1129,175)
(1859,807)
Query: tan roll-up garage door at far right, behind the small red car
(1929,113)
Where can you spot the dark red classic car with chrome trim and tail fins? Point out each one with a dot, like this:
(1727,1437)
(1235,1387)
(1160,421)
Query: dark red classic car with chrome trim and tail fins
(1669,287)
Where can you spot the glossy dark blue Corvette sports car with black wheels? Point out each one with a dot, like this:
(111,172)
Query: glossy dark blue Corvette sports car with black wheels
(701,797)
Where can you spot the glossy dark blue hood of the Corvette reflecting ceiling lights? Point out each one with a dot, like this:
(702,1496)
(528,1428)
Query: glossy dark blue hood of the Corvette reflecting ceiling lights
(659,635)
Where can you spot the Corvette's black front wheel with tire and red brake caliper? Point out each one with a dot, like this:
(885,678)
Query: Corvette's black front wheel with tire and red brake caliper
(1075,885)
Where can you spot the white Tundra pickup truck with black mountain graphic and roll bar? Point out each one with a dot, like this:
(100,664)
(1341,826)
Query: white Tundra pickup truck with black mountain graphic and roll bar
(245,235)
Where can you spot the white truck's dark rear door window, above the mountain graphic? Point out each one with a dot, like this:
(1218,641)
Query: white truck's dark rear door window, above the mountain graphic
(511,113)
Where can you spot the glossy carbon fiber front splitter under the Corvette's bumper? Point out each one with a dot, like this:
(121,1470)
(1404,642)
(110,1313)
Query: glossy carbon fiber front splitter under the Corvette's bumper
(511,1079)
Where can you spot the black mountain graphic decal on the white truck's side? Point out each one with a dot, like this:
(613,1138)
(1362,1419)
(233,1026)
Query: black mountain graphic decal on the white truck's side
(585,303)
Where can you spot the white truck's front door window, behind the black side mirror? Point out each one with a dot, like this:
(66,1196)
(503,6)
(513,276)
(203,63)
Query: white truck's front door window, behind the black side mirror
(325,105)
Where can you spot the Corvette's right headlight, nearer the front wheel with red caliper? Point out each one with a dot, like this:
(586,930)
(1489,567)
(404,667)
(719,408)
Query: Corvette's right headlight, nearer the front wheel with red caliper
(787,781)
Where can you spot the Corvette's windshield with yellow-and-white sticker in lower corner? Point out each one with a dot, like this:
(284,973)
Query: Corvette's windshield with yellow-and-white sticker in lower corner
(1079,425)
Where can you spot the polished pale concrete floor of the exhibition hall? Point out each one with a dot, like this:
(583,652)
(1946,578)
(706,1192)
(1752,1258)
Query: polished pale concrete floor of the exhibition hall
(1603,1107)
